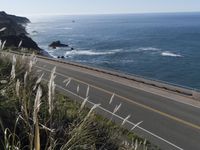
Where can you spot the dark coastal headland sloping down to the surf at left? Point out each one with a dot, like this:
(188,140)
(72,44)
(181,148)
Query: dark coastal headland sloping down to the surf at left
(15,35)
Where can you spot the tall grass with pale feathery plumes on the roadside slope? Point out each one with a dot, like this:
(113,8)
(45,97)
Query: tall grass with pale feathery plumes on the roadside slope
(35,116)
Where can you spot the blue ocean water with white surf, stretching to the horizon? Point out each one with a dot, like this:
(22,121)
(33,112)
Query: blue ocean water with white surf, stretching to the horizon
(160,46)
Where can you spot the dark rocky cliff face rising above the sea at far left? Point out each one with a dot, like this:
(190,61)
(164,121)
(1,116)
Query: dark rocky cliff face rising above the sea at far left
(15,31)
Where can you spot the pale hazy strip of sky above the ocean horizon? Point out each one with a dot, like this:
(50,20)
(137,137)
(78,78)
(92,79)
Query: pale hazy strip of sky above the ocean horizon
(50,7)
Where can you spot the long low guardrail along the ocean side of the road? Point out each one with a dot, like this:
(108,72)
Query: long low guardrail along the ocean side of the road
(148,81)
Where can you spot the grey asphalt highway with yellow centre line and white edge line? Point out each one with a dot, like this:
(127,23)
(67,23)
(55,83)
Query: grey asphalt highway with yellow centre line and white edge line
(171,119)
